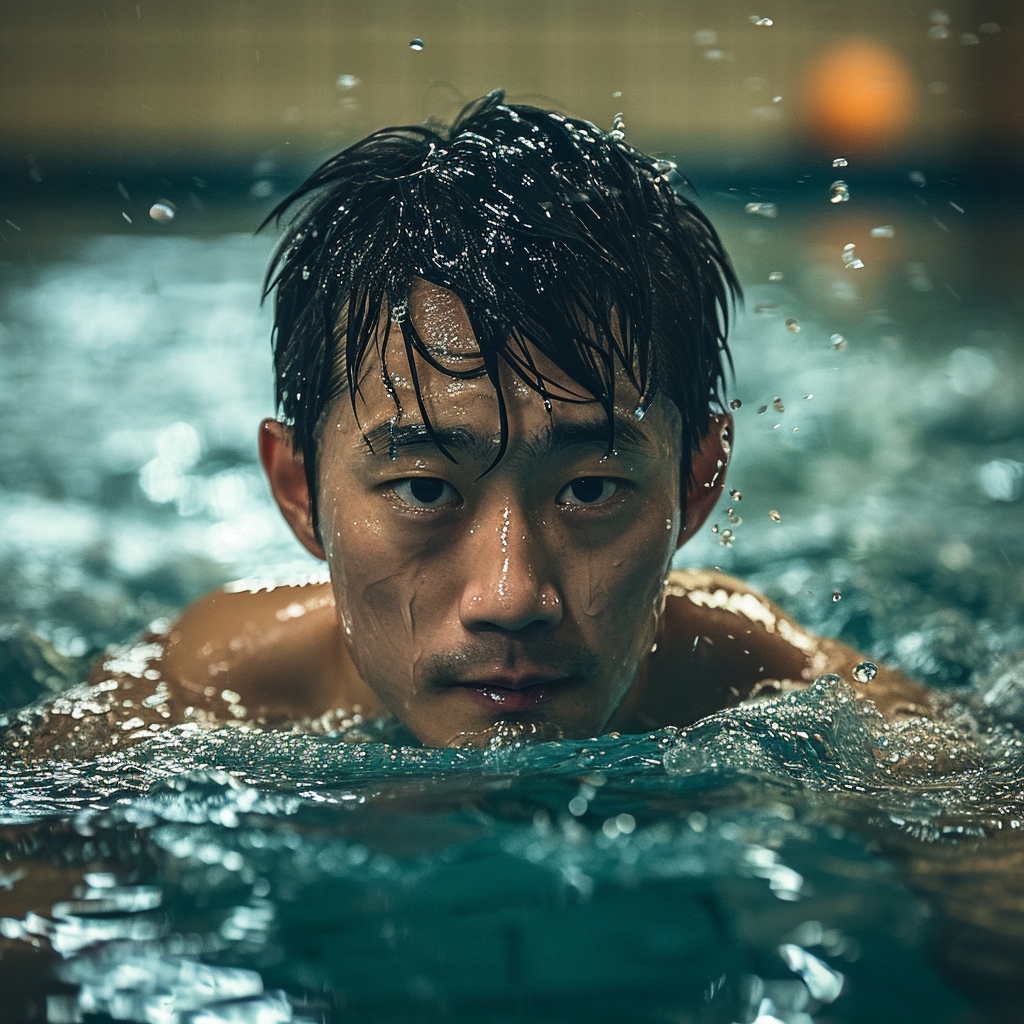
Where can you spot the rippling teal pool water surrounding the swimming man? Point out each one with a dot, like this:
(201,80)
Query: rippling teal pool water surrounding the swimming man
(793,861)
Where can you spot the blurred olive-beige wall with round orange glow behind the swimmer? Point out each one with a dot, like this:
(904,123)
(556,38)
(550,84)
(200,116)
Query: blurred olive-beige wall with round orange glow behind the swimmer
(162,82)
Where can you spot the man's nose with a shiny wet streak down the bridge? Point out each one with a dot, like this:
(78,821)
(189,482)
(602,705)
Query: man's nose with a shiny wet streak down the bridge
(507,577)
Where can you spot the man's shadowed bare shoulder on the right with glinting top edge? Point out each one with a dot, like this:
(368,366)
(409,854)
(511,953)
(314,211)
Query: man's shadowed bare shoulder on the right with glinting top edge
(720,643)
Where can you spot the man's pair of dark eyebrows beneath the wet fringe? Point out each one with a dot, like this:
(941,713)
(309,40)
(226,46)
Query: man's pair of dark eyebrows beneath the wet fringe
(554,440)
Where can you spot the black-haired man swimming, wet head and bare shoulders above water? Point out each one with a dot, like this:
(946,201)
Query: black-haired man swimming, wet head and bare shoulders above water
(500,353)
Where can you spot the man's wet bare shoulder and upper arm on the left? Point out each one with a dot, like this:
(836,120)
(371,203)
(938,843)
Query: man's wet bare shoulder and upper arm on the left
(249,654)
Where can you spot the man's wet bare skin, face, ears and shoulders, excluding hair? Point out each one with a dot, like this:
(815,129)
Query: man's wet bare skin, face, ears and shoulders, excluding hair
(468,599)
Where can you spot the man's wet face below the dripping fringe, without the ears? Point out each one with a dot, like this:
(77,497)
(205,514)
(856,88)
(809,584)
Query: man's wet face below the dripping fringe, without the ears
(527,594)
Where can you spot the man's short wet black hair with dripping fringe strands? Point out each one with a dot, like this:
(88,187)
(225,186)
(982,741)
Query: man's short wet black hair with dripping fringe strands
(551,232)
